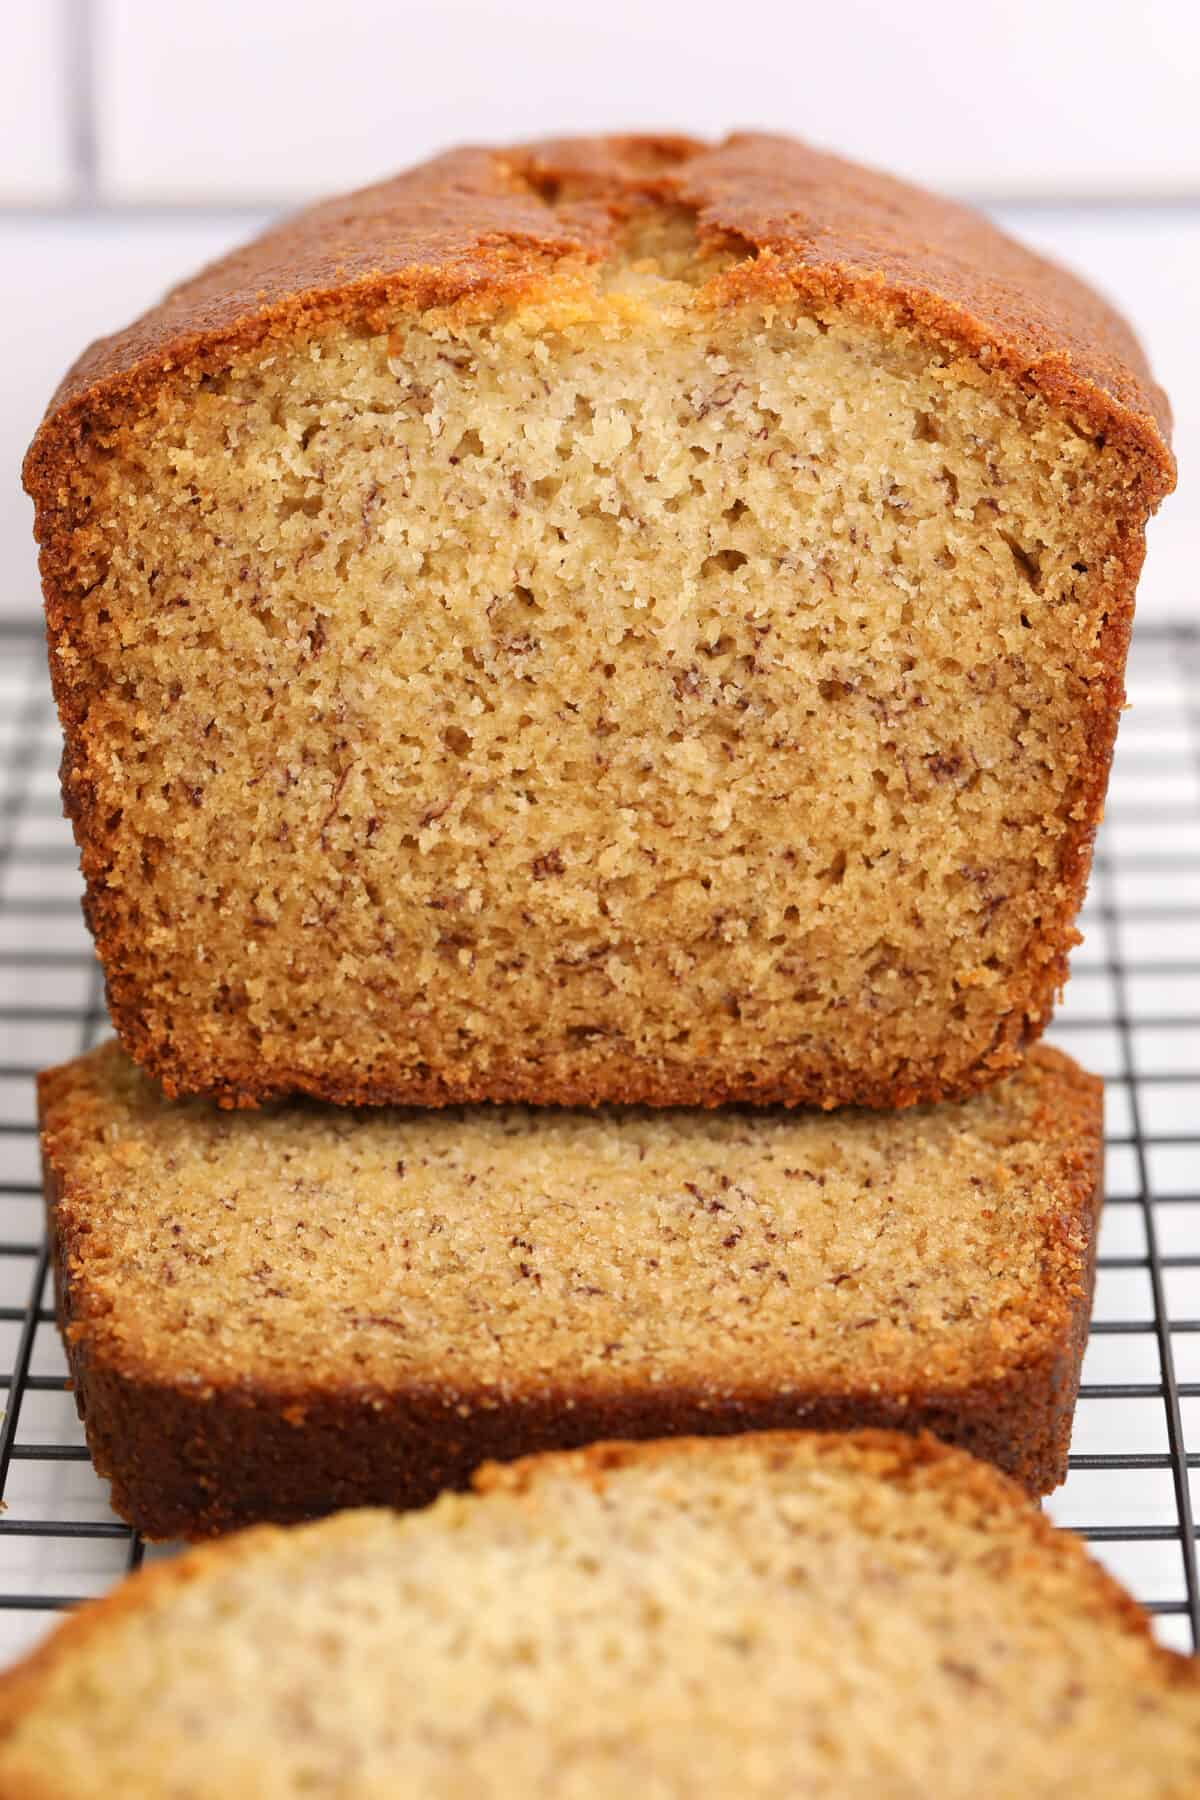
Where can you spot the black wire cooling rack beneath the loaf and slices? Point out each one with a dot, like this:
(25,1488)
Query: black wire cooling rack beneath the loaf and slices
(1133,1014)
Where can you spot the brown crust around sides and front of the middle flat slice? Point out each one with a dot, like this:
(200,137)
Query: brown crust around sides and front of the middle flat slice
(197,1457)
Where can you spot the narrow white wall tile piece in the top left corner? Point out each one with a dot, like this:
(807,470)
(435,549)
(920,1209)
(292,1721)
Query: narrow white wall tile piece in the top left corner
(35,141)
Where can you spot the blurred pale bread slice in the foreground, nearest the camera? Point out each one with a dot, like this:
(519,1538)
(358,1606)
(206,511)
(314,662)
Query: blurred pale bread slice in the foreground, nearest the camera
(848,1617)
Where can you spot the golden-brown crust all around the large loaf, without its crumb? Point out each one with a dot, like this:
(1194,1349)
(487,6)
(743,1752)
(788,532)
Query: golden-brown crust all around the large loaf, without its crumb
(478,228)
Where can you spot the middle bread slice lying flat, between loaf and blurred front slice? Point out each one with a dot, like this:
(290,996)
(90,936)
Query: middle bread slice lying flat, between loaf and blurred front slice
(274,1315)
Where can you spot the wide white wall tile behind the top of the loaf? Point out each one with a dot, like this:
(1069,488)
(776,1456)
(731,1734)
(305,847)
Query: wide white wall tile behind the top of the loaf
(287,98)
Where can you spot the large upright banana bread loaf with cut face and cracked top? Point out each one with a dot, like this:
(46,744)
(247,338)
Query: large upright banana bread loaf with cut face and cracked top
(609,620)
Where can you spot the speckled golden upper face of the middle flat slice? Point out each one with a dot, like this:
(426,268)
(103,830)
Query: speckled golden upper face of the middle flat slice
(501,1250)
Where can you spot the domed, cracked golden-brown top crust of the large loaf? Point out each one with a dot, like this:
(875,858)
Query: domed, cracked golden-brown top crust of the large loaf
(488,224)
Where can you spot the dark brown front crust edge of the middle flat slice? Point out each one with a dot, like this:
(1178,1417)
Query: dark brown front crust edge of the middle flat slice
(193,1466)
